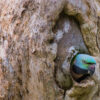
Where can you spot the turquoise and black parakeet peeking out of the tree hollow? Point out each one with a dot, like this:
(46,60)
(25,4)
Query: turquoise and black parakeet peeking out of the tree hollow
(82,66)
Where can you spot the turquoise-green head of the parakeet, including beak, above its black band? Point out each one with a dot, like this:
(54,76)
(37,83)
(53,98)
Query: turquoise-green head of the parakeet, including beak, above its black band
(86,63)
